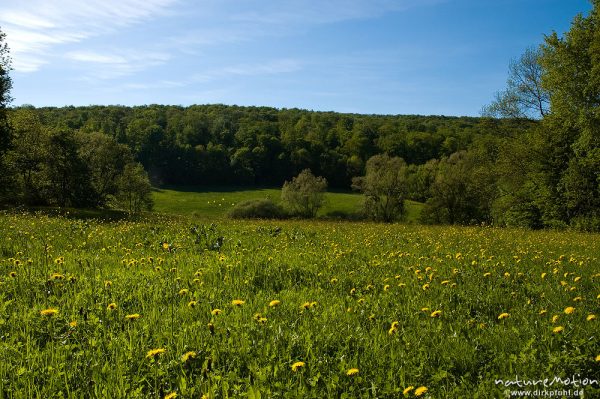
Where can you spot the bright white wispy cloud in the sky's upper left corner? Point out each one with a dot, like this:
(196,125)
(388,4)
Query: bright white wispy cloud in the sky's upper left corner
(34,27)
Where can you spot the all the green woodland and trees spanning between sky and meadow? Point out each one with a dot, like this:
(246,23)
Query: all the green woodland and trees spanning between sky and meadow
(532,159)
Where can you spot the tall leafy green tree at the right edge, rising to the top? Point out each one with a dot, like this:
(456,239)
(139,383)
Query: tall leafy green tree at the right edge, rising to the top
(570,139)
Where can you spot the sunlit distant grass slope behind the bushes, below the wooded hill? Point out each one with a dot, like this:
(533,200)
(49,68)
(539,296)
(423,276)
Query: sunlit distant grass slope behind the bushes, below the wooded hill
(216,202)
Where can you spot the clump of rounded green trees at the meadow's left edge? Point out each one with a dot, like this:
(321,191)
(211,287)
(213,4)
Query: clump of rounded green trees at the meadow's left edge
(67,168)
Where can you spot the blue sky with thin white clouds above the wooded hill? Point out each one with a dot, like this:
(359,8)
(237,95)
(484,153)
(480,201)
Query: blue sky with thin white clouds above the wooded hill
(430,57)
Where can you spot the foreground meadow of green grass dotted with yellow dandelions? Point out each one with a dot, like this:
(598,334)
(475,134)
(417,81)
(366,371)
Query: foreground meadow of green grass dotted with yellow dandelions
(293,309)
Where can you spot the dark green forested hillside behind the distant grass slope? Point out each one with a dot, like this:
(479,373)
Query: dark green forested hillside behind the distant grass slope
(218,144)
